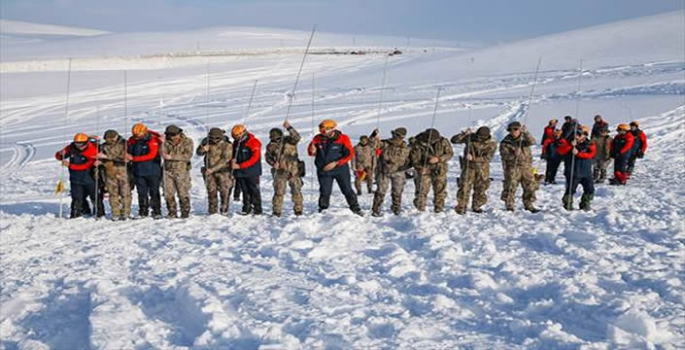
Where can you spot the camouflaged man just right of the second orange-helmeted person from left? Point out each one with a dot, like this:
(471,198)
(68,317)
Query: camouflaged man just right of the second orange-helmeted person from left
(177,150)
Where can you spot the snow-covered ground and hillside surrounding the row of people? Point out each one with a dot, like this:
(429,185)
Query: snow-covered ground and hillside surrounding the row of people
(611,278)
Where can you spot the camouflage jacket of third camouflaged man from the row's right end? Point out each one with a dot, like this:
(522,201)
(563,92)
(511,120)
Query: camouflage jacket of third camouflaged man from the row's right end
(422,151)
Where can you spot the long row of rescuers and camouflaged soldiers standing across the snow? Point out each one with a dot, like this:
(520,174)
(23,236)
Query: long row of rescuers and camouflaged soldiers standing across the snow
(147,162)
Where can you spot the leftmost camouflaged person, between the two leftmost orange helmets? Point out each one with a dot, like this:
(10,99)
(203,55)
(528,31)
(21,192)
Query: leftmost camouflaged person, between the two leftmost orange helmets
(113,157)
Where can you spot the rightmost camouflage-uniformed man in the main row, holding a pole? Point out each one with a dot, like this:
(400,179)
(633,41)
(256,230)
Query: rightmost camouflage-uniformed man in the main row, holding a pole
(517,163)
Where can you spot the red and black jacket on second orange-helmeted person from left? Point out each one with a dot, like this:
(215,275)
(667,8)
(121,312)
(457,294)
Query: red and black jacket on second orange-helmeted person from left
(145,154)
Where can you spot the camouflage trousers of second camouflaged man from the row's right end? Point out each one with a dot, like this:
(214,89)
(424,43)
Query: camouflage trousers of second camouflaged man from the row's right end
(476,179)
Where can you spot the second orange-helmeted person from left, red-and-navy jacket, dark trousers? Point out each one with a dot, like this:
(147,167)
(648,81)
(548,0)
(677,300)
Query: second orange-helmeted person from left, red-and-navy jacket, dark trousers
(143,151)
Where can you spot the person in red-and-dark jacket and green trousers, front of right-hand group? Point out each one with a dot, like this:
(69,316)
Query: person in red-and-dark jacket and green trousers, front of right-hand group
(578,156)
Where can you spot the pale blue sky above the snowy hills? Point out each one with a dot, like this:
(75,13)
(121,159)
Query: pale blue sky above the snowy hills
(483,21)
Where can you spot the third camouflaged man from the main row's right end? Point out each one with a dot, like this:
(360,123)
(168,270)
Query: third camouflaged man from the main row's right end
(429,155)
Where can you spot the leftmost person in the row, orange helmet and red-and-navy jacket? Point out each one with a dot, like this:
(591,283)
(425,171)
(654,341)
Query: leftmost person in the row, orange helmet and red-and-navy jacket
(80,157)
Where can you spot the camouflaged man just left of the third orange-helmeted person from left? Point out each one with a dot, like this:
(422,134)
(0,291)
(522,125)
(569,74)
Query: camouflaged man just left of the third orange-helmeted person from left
(216,172)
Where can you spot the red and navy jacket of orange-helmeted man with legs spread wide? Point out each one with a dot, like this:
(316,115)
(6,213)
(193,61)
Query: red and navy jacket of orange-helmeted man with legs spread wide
(337,148)
